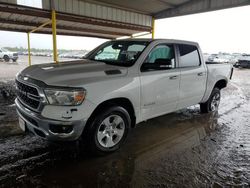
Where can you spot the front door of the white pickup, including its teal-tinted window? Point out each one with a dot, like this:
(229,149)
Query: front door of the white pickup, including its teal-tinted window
(160,82)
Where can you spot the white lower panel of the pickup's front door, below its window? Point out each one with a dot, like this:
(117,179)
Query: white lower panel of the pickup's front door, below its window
(159,93)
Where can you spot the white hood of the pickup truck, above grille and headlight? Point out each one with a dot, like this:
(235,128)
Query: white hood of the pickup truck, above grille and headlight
(73,73)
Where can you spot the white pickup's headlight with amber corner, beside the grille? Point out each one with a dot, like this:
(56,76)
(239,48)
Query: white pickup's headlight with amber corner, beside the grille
(63,97)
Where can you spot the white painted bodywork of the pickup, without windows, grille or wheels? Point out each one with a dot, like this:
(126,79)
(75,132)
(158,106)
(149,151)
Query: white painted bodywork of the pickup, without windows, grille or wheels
(151,94)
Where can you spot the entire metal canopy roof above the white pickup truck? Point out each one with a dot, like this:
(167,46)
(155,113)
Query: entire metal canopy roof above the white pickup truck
(103,18)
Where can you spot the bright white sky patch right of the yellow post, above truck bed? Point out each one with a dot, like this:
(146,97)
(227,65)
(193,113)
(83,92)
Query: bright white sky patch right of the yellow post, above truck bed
(218,31)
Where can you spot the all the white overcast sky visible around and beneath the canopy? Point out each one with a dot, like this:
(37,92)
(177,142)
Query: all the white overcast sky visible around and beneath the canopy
(218,31)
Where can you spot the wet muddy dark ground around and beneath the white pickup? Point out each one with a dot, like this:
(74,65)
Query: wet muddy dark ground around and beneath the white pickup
(181,149)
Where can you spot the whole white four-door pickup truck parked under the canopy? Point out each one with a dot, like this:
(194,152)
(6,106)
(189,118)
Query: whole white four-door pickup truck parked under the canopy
(119,84)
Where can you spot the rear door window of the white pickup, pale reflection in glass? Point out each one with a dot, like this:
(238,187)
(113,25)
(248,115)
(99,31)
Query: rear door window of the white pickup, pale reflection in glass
(189,56)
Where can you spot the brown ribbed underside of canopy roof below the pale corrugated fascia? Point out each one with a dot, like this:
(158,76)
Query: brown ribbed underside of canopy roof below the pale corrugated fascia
(24,19)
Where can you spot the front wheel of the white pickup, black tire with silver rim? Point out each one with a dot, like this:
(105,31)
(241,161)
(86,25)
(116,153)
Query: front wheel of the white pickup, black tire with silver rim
(103,135)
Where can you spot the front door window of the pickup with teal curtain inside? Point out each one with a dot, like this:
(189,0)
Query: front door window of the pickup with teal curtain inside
(161,57)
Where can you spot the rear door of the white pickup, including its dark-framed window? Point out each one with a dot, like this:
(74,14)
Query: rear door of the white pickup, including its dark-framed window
(193,76)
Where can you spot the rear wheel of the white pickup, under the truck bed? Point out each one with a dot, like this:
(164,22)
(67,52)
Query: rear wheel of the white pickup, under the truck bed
(212,103)
